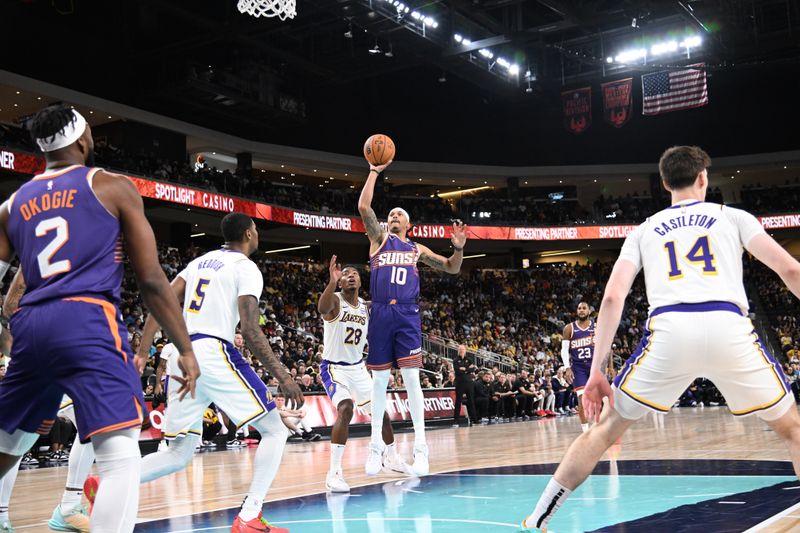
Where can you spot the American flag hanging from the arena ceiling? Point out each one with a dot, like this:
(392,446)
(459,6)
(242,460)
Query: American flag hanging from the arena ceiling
(673,90)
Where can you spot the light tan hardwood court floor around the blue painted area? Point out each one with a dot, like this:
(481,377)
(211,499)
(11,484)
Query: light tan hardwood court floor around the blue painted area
(219,480)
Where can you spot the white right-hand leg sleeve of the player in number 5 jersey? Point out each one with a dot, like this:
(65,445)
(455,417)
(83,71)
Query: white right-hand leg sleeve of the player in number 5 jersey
(266,462)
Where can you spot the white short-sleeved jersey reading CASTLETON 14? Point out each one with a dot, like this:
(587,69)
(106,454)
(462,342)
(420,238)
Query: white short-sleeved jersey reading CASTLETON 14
(691,252)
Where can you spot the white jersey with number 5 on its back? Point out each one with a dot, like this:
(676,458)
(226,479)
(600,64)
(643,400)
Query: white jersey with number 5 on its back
(214,282)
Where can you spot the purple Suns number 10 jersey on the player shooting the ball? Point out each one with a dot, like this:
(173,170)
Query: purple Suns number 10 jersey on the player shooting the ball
(394,277)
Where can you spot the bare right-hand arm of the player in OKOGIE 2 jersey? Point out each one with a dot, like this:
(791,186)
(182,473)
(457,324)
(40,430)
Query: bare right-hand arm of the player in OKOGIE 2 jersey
(122,200)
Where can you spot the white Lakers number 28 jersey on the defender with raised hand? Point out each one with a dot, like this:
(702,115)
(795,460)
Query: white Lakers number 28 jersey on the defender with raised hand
(346,335)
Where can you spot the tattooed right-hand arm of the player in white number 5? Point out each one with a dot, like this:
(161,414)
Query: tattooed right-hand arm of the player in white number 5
(254,337)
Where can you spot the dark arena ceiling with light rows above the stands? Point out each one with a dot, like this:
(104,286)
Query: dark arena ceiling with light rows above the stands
(421,71)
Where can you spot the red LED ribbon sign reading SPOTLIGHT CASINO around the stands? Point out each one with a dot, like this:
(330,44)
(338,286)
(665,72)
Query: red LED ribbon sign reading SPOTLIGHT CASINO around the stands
(28,164)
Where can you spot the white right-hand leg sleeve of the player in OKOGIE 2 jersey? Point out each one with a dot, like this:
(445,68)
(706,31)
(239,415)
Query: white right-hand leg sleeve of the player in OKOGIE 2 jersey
(119,465)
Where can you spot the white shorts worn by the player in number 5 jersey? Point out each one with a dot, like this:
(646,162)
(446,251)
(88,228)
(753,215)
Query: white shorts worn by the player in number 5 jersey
(226,380)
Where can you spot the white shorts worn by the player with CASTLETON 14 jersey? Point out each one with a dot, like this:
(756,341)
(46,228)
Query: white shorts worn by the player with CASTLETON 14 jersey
(711,340)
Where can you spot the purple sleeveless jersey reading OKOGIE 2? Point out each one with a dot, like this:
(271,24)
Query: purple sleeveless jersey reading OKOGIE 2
(67,242)
